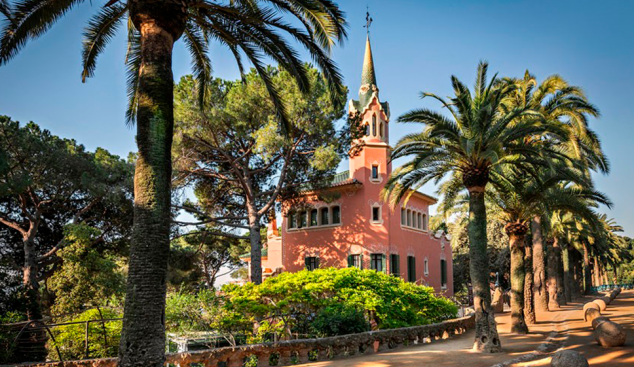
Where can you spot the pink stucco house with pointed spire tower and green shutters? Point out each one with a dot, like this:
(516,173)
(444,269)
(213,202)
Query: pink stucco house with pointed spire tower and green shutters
(356,228)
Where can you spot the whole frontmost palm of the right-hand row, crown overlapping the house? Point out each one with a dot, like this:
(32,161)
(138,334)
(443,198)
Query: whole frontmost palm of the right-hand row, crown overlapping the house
(480,136)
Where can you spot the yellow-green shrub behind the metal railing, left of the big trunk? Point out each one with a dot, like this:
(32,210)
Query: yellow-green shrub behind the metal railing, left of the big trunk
(103,338)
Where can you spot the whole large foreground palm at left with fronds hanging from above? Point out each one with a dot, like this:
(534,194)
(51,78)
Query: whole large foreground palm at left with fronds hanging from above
(251,29)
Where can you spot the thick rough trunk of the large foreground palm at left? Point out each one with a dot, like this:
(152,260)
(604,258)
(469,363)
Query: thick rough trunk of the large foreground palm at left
(160,24)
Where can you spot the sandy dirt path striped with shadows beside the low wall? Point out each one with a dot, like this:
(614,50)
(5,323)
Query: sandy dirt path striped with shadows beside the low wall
(561,329)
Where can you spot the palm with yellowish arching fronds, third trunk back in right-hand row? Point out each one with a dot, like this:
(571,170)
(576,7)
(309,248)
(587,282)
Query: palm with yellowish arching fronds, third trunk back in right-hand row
(557,100)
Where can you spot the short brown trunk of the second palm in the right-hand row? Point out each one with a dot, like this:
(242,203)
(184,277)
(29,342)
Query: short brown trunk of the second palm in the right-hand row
(516,244)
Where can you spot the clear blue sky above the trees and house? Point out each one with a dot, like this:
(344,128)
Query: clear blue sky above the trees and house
(417,46)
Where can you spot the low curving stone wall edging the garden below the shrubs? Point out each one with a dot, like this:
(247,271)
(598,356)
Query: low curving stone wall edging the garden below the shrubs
(290,352)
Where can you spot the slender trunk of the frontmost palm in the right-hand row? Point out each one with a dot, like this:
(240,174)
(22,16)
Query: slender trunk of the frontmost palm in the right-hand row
(486,338)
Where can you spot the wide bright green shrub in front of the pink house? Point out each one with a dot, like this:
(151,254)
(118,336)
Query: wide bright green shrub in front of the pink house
(299,299)
